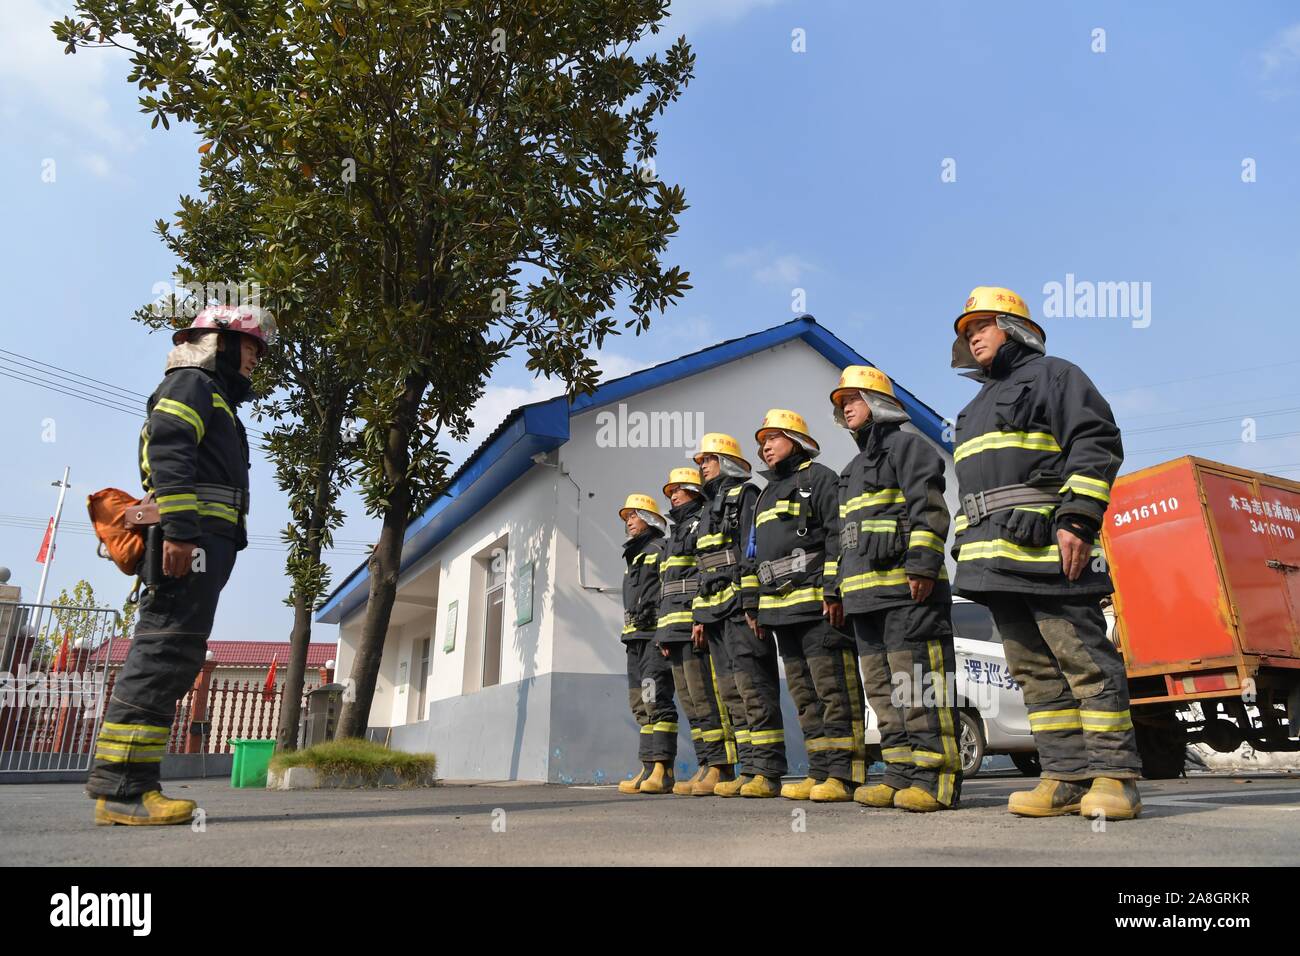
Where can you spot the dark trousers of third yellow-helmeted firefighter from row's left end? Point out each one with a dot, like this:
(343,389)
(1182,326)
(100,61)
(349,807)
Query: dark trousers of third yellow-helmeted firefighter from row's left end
(751,686)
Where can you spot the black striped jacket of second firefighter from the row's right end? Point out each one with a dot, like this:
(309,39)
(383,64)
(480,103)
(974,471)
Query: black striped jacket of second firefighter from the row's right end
(894,520)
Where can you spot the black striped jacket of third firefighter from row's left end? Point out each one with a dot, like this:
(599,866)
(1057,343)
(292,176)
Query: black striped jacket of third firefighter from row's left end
(725,527)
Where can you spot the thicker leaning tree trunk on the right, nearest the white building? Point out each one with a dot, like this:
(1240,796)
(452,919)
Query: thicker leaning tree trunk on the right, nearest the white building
(385,564)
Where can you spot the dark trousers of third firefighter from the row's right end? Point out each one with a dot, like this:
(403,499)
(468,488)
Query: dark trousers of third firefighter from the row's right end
(822,673)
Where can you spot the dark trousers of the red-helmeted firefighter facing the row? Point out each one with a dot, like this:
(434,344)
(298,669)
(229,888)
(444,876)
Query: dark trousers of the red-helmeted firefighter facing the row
(166,656)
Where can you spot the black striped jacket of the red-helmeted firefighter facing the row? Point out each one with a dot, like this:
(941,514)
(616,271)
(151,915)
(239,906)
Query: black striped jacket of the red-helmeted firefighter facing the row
(194,457)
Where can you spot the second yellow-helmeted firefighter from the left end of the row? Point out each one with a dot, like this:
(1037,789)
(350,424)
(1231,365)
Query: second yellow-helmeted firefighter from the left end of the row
(692,668)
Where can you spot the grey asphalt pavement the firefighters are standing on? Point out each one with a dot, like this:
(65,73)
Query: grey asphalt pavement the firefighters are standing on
(1202,821)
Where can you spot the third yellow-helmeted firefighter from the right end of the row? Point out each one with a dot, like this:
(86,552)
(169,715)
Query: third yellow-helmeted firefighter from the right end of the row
(796,548)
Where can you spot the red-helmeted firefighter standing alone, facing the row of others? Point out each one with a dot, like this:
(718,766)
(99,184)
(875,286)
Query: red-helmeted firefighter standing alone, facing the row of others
(194,460)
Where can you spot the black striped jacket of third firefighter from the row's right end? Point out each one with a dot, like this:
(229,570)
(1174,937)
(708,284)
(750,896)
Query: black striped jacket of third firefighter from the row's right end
(799,513)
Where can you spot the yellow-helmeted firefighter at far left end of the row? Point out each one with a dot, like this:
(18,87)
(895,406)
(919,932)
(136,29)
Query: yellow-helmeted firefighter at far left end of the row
(649,673)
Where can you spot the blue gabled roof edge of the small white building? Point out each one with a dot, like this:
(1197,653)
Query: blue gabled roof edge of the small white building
(540,427)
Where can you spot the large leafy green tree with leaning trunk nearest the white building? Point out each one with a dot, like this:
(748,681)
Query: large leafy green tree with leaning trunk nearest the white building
(478,174)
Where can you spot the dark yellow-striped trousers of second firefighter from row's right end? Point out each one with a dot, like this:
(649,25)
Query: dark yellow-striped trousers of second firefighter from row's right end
(909,673)
